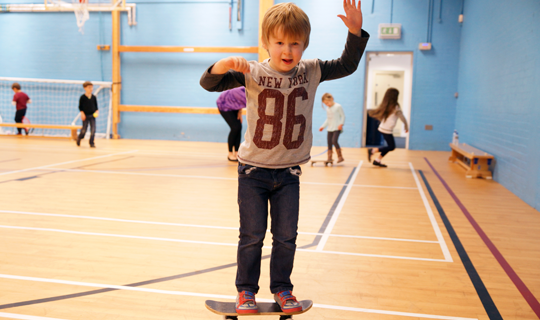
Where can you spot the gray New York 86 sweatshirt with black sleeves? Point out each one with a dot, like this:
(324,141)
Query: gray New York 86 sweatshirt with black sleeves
(280,105)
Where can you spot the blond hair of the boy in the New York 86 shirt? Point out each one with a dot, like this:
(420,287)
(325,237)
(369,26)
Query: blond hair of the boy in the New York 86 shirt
(293,21)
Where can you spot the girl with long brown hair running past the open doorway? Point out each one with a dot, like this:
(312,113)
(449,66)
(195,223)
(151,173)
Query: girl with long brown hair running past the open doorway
(387,113)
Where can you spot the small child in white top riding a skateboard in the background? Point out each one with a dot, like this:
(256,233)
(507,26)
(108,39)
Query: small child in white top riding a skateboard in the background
(335,118)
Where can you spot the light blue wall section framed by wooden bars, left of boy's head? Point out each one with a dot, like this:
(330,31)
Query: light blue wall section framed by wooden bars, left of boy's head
(172,79)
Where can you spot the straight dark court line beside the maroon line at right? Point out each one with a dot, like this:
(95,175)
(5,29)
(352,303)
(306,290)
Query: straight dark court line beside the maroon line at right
(481,290)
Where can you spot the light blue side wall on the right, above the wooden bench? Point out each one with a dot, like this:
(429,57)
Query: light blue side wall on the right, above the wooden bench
(499,81)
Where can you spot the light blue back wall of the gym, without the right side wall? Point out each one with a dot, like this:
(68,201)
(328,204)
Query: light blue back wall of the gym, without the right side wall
(48,45)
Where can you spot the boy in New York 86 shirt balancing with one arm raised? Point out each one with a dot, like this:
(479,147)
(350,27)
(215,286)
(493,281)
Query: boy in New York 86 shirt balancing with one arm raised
(280,94)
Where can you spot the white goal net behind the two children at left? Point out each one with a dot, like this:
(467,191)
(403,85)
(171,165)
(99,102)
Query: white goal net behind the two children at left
(55,102)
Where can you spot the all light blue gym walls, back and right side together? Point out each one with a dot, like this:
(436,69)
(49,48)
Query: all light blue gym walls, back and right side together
(493,56)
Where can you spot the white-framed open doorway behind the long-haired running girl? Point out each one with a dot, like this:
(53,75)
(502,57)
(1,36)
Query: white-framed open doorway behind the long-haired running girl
(387,70)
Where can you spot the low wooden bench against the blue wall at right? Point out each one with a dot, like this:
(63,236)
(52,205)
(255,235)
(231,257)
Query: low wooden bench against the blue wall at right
(475,161)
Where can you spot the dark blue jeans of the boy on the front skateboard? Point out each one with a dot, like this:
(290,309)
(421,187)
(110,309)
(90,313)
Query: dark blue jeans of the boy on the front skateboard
(257,187)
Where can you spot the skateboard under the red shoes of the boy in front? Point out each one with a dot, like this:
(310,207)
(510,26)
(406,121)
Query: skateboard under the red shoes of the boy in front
(228,310)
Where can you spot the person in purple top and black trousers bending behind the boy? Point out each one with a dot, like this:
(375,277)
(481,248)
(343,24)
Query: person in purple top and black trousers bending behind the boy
(230,104)
